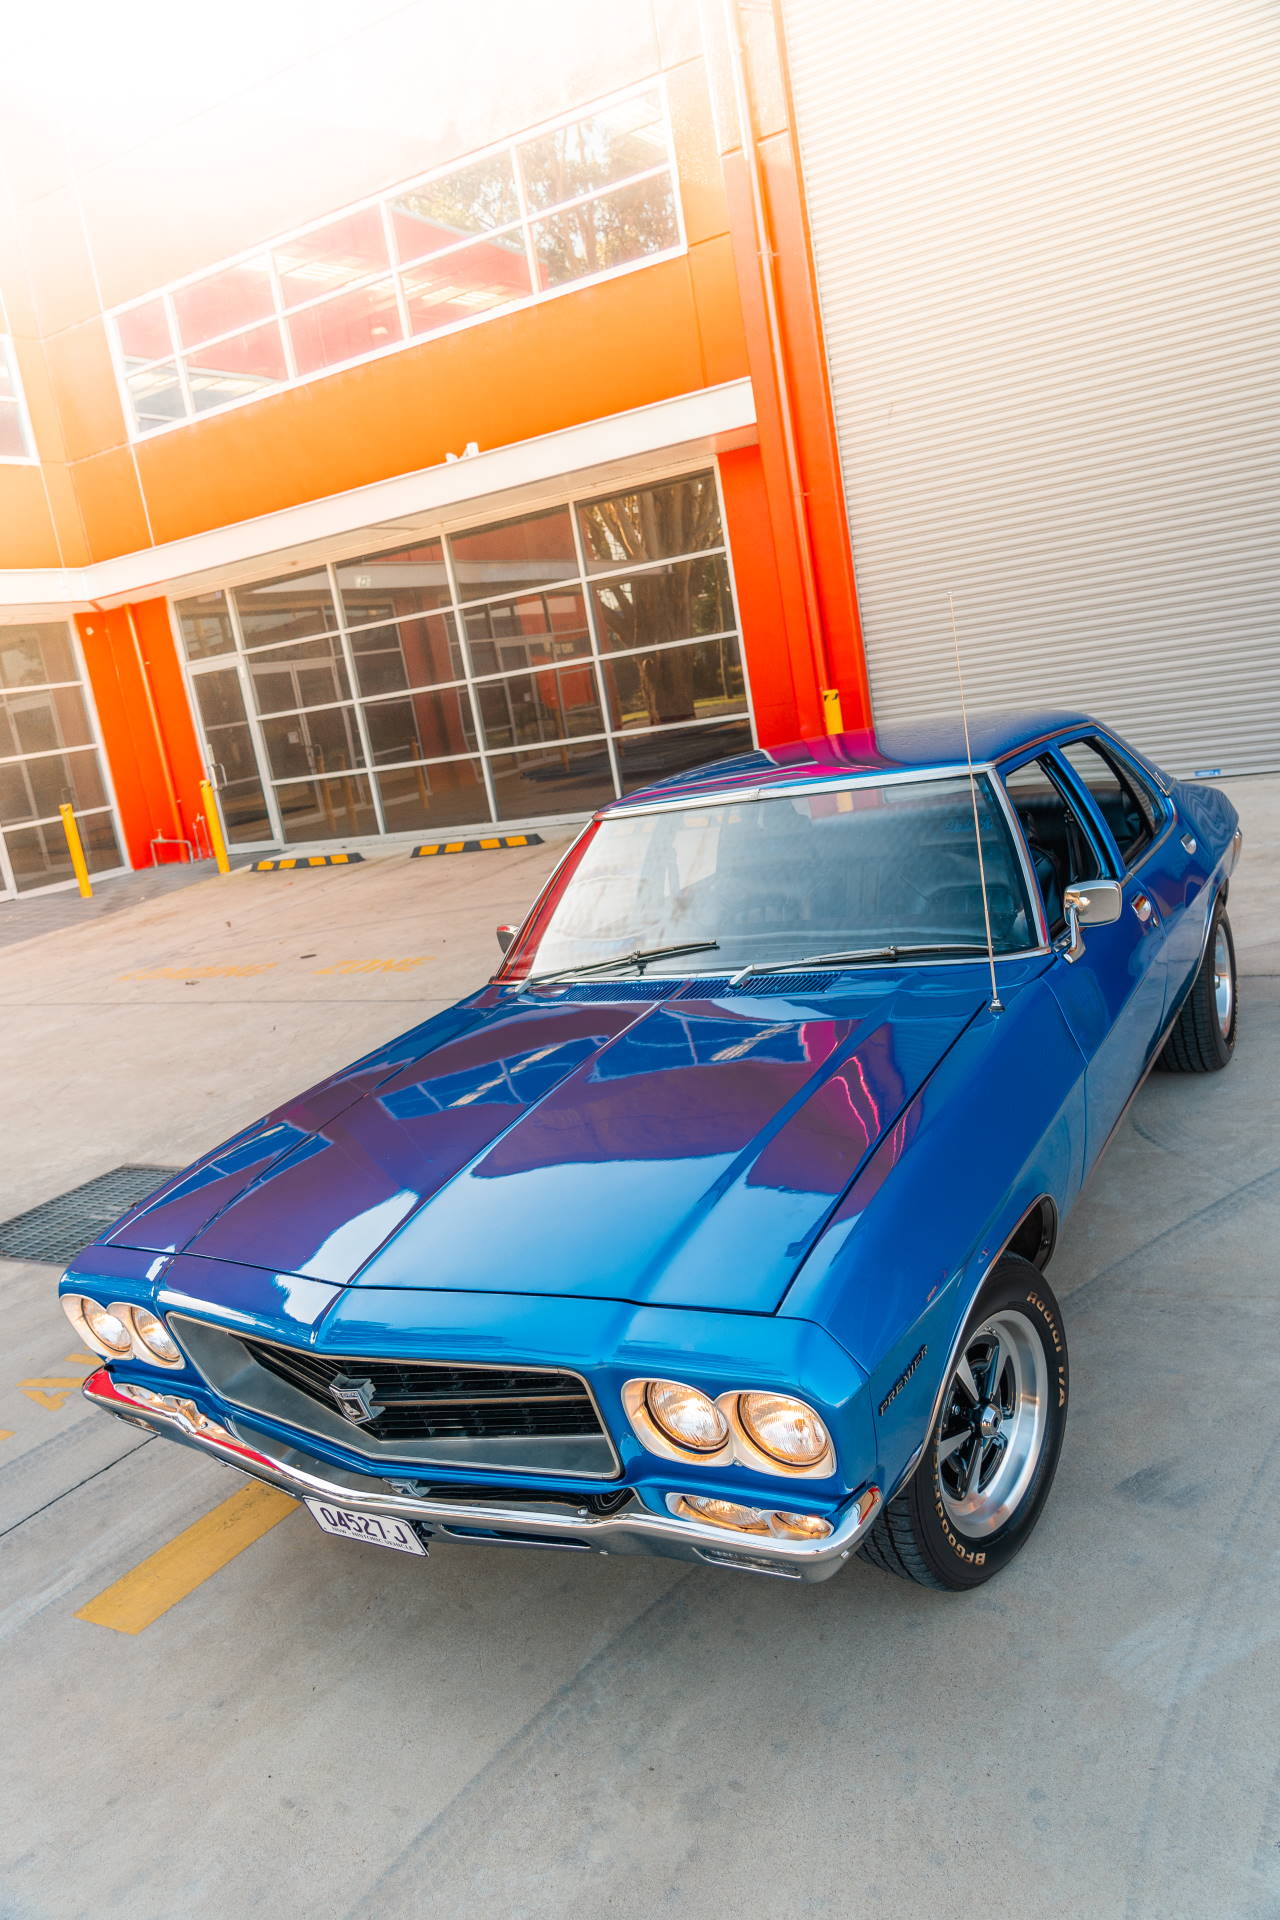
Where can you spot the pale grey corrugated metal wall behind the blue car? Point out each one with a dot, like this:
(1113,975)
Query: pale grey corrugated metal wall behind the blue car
(1049,249)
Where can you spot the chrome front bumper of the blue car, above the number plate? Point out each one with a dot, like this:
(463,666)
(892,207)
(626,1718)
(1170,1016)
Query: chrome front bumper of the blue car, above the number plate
(634,1529)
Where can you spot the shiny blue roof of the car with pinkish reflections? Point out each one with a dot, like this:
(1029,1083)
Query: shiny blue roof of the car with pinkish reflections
(922,748)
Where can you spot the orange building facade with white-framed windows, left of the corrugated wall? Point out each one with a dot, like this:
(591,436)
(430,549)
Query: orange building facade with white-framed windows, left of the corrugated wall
(460,456)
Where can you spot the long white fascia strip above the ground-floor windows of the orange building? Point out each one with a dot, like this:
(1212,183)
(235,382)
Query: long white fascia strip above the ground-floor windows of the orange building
(698,423)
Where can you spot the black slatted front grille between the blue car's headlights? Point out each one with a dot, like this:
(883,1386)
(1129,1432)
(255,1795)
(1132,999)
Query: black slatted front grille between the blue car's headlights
(427,1401)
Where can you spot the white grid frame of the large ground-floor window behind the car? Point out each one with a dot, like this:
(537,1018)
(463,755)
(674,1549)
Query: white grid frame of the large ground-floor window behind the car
(582,581)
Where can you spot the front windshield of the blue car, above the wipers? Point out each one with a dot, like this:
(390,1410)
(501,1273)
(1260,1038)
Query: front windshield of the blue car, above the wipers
(786,878)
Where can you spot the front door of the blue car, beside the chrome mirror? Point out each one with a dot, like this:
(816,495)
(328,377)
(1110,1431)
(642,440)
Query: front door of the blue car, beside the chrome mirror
(1114,996)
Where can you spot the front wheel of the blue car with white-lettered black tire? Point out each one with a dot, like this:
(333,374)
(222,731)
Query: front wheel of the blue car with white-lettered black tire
(993,1452)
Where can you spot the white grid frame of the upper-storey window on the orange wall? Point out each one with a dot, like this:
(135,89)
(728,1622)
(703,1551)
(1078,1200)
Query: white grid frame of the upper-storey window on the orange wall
(394,272)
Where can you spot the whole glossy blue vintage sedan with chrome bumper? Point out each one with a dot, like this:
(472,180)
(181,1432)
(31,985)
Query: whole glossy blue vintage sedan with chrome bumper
(717,1224)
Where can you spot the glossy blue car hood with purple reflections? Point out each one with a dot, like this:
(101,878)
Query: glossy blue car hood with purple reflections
(584,1143)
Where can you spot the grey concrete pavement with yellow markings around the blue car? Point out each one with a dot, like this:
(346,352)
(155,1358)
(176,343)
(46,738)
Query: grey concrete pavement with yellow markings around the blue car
(320,1729)
